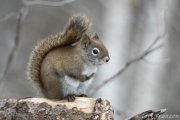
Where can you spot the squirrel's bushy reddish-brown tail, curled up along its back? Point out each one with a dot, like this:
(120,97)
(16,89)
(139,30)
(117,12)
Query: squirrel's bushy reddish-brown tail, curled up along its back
(77,26)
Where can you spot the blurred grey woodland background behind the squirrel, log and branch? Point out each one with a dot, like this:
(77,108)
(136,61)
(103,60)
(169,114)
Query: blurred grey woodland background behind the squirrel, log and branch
(127,28)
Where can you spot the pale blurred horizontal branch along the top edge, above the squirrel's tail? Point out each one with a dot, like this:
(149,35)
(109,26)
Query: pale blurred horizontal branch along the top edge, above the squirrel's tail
(47,3)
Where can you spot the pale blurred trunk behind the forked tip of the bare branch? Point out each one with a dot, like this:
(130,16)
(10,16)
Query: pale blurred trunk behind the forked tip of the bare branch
(145,77)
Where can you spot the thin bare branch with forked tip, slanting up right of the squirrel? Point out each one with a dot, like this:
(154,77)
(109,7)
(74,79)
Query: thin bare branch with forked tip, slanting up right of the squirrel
(150,50)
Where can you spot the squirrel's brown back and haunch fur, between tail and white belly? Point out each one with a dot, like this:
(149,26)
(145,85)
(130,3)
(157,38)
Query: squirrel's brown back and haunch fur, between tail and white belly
(59,59)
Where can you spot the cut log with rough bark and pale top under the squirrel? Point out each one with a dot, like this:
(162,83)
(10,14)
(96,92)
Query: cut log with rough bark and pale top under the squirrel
(44,109)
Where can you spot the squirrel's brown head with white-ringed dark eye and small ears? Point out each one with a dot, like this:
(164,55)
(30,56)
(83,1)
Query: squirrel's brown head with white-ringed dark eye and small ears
(93,50)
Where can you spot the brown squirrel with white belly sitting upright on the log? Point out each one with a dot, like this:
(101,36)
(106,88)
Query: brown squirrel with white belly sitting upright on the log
(63,65)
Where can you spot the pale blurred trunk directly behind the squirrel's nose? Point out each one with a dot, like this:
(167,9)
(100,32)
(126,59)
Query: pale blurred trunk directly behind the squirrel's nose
(115,31)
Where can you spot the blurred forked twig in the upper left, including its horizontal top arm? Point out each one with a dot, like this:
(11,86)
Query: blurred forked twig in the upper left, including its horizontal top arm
(21,16)
